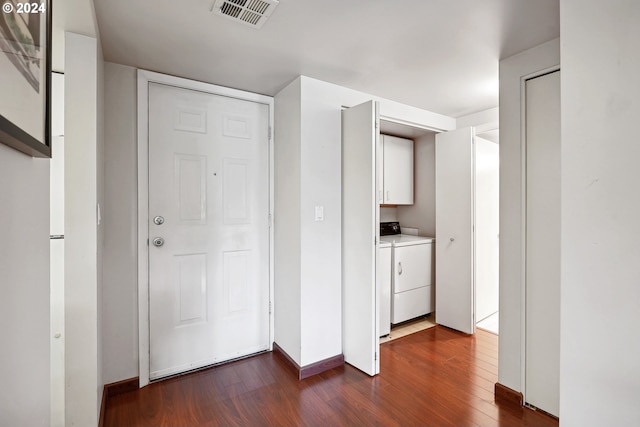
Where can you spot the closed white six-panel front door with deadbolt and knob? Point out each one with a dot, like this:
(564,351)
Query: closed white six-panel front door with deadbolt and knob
(208,229)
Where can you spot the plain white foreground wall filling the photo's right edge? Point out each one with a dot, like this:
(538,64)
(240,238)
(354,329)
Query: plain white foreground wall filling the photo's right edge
(600,273)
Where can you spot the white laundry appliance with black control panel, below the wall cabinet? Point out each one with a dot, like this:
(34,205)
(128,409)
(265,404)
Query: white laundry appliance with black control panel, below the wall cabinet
(412,286)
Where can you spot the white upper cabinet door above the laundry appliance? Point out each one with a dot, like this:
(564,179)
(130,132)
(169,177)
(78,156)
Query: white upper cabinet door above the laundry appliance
(398,170)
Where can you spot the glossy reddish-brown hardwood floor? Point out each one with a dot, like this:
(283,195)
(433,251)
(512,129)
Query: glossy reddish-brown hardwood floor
(436,377)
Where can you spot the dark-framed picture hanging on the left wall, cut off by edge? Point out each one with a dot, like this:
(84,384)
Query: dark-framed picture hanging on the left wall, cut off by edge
(25,76)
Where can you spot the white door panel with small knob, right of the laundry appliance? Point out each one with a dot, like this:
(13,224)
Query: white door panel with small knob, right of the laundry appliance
(454,230)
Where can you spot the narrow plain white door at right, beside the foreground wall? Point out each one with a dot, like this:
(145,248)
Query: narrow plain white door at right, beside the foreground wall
(542,314)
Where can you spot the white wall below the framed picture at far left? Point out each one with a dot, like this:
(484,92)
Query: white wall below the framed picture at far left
(24,289)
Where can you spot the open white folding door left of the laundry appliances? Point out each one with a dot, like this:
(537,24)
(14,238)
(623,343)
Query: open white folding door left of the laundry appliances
(360,236)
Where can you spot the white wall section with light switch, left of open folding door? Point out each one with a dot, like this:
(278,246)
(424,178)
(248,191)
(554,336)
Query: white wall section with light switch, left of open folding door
(321,253)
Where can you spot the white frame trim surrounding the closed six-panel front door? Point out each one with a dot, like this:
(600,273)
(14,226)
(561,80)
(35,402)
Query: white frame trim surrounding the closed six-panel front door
(144,78)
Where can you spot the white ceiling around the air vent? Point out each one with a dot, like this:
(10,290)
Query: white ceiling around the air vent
(440,55)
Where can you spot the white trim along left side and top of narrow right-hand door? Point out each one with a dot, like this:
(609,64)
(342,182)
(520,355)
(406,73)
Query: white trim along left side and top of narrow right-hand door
(523,219)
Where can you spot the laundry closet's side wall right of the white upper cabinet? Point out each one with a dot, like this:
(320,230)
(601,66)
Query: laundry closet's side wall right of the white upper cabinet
(422,214)
